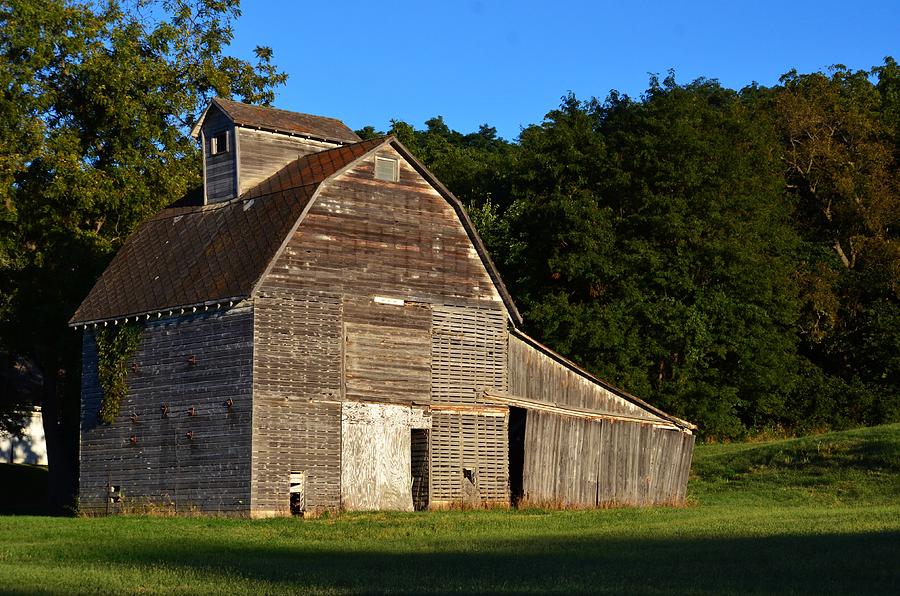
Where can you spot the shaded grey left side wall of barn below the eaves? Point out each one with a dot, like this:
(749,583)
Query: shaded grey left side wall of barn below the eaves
(163,468)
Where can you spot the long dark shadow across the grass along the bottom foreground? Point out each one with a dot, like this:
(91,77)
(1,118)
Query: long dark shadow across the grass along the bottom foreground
(840,563)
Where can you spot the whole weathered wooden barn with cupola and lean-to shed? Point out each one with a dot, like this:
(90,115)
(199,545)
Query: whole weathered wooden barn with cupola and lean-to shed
(324,329)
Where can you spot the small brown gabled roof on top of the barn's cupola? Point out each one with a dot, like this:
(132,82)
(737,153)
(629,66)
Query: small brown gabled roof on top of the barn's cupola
(283,121)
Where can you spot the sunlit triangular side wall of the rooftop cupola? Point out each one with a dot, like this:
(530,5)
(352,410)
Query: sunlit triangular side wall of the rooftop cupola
(263,153)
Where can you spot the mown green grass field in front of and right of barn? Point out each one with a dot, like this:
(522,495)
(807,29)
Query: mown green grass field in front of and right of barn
(813,515)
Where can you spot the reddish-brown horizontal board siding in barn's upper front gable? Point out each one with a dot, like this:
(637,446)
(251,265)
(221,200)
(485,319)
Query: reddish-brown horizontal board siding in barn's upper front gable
(365,237)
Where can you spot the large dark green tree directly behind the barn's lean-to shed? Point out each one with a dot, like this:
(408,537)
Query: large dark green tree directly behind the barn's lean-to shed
(653,246)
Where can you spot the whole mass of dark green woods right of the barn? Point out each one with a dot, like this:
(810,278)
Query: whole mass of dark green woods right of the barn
(731,256)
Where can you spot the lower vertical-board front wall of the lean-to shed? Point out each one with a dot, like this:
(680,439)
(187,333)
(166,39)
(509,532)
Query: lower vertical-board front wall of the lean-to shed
(578,461)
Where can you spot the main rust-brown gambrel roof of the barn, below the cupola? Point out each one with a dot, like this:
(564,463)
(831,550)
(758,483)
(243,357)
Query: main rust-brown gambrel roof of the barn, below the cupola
(185,257)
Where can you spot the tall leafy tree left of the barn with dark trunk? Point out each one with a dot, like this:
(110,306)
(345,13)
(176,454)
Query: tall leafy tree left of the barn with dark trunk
(97,102)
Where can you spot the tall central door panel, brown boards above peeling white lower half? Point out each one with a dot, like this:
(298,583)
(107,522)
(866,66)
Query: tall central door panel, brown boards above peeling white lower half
(387,369)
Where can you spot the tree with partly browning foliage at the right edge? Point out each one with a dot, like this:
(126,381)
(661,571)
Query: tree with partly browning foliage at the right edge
(840,139)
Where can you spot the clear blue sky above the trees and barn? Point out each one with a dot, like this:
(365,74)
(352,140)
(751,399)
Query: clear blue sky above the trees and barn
(508,63)
